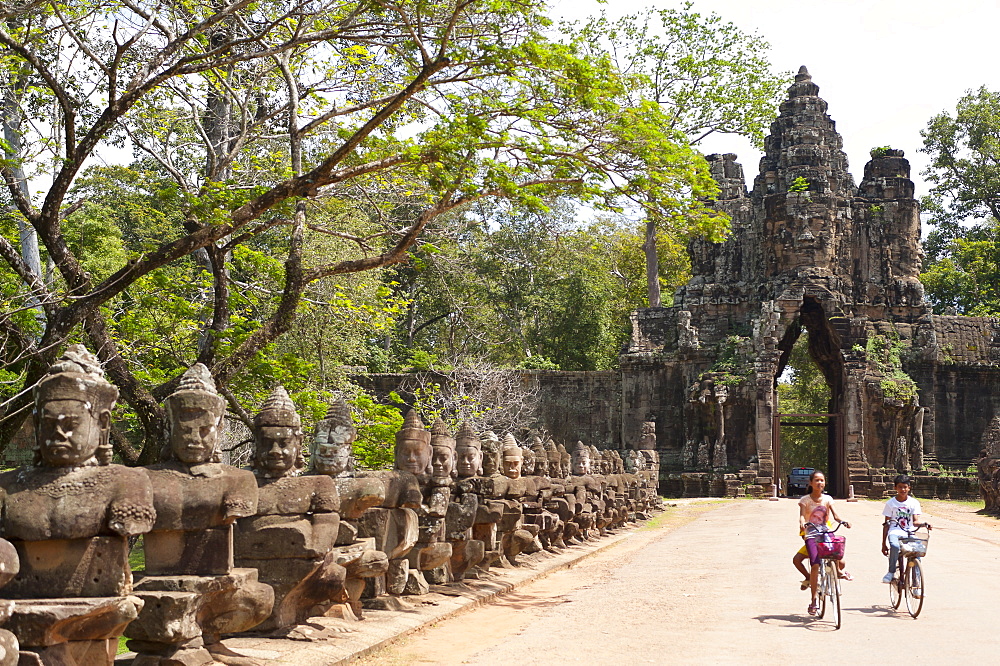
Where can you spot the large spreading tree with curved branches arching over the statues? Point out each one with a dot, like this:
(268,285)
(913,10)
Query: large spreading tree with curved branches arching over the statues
(263,127)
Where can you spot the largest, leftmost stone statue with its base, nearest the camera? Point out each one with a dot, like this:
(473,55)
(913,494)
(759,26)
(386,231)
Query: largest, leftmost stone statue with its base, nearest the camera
(68,517)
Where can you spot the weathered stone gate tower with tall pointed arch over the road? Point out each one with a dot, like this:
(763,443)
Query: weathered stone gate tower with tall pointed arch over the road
(810,251)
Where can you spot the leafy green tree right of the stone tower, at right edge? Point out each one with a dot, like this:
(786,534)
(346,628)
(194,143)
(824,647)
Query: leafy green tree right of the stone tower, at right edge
(963,250)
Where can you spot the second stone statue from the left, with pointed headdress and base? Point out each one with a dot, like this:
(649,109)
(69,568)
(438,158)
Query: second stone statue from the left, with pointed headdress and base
(190,549)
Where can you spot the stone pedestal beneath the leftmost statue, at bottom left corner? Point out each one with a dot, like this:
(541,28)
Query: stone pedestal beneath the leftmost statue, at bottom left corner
(71,632)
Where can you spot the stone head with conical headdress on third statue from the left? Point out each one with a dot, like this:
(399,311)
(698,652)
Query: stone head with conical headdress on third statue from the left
(277,437)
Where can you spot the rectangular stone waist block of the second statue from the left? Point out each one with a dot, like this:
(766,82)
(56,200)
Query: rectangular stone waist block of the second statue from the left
(207,552)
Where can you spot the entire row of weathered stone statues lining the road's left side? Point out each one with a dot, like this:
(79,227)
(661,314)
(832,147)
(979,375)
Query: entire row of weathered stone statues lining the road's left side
(229,550)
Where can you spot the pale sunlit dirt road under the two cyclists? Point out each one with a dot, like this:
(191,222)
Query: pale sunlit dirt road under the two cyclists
(713,583)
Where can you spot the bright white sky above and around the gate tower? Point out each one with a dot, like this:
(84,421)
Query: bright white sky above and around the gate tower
(884,66)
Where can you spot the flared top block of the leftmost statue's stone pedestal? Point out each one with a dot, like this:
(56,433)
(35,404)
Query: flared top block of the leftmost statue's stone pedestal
(44,622)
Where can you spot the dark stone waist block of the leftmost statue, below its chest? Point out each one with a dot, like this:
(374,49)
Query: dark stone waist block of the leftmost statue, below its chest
(58,568)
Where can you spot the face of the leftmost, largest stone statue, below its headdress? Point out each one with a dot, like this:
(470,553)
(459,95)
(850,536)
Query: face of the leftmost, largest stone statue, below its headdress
(67,433)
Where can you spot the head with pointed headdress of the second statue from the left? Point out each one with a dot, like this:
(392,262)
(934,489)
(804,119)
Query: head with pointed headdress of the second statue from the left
(194,418)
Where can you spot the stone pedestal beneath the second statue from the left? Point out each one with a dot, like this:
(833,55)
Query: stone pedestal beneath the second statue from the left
(183,614)
